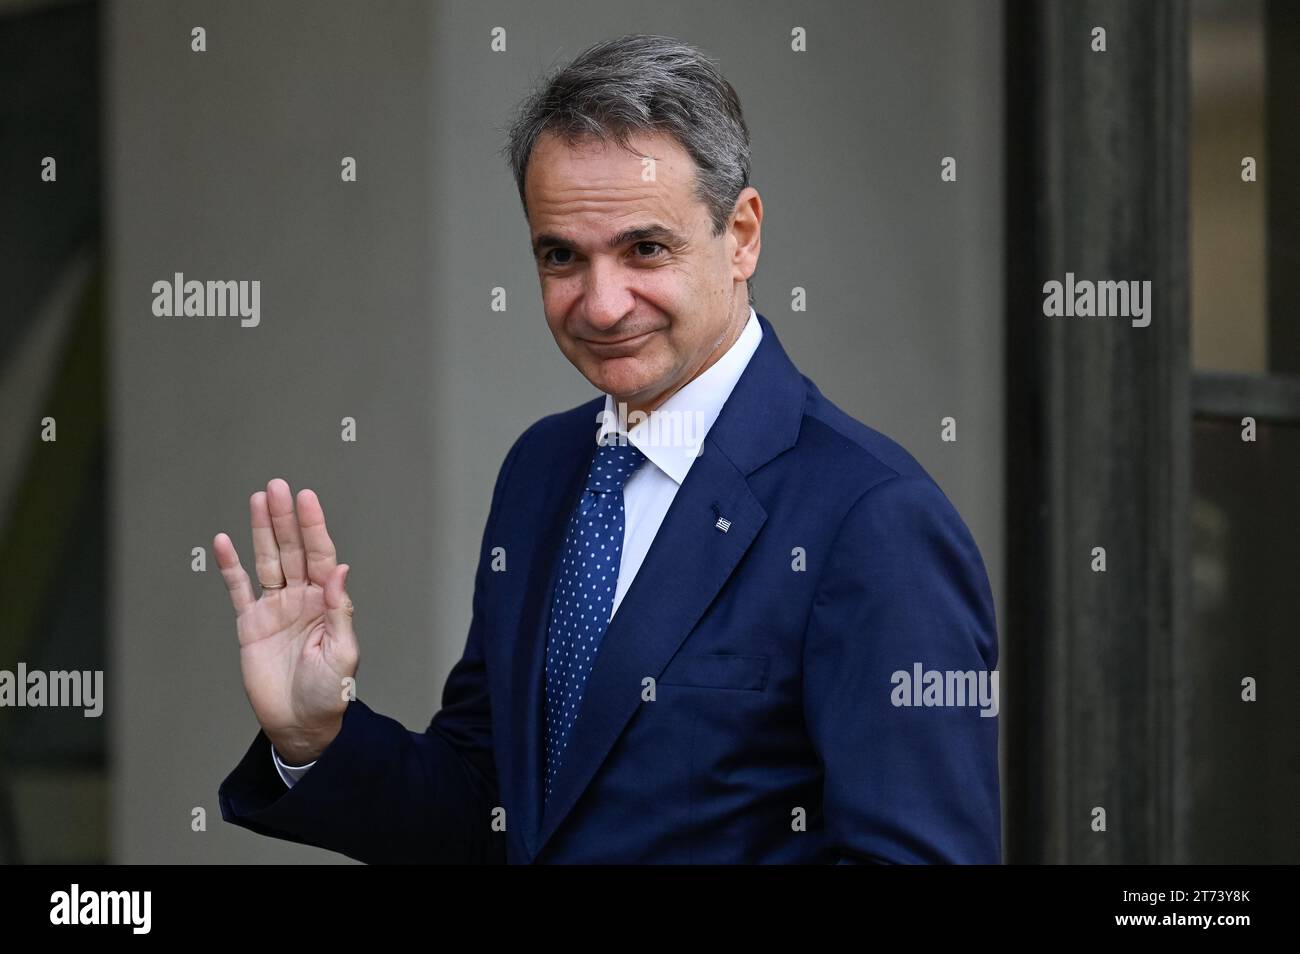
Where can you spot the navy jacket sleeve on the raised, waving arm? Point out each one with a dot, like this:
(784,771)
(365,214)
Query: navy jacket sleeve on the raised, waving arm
(382,793)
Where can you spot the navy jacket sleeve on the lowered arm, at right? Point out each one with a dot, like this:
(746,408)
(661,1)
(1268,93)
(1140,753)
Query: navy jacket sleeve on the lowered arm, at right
(904,586)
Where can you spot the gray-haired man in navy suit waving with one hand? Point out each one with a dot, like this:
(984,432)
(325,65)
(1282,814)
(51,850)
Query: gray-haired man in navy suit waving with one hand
(688,635)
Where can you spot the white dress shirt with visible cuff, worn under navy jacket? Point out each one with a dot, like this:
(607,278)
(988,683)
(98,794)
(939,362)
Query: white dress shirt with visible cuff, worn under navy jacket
(670,439)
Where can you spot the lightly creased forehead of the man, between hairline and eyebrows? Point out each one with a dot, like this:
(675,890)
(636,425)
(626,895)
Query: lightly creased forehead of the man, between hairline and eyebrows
(592,183)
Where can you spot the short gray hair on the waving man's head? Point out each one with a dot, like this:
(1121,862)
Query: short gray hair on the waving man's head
(644,84)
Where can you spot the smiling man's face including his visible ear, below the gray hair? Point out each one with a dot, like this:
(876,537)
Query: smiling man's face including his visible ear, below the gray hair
(639,293)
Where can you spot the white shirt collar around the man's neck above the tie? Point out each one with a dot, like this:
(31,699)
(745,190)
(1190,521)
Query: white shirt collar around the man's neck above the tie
(674,433)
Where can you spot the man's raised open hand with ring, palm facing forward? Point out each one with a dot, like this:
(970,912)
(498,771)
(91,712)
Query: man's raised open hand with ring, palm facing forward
(297,647)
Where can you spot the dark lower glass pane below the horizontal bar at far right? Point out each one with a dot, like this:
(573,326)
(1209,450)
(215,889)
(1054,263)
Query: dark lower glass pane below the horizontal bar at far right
(1245,757)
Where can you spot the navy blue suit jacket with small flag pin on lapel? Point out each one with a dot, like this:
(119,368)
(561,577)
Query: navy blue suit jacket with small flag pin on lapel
(773,734)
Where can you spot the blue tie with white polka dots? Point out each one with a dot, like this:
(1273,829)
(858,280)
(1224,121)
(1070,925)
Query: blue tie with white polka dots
(584,592)
